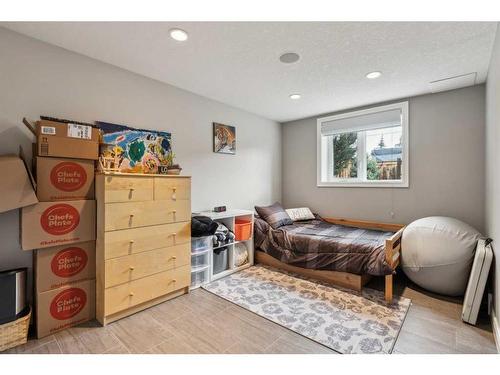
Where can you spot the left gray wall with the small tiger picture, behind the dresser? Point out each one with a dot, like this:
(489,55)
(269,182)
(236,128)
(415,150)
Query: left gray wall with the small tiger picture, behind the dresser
(40,79)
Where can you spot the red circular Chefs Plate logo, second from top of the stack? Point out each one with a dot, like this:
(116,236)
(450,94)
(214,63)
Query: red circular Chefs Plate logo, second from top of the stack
(59,219)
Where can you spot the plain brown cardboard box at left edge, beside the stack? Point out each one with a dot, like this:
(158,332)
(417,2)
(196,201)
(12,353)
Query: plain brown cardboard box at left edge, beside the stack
(16,189)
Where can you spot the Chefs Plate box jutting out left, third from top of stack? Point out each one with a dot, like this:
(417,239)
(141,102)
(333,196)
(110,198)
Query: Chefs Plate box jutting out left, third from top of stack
(48,224)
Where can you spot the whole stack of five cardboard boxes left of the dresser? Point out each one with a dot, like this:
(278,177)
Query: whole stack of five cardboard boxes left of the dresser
(61,227)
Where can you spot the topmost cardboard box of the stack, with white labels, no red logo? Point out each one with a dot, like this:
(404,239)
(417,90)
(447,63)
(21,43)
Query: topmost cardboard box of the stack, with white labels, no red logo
(66,140)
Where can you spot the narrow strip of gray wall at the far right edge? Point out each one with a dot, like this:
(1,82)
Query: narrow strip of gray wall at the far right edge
(493,162)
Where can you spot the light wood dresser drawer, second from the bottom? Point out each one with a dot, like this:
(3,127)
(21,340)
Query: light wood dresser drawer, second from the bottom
(133,267)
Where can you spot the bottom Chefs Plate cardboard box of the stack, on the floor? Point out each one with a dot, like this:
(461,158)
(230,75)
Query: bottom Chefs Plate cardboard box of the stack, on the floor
(61,308)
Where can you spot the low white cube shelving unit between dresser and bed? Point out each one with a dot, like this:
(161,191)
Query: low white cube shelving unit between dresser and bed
(202,273)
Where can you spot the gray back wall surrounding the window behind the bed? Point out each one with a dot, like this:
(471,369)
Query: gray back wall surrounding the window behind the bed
(446,166)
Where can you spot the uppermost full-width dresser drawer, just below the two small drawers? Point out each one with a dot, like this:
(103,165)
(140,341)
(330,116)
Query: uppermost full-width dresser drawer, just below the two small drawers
(141,214)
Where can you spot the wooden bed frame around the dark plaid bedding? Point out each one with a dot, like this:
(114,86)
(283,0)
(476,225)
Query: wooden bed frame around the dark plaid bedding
(346,279)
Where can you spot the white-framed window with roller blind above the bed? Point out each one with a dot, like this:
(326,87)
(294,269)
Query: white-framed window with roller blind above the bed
(364,148)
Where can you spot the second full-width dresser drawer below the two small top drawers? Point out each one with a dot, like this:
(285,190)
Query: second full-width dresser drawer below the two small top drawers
(132,241)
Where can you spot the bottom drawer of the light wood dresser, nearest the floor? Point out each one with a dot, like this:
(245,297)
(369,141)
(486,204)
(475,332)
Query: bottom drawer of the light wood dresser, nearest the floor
(135,292)
